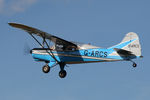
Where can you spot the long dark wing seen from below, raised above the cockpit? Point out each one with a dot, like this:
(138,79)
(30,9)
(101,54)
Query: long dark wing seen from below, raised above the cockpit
(44,35)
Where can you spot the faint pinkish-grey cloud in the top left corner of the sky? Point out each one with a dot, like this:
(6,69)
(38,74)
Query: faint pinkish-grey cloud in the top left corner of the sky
(15,6)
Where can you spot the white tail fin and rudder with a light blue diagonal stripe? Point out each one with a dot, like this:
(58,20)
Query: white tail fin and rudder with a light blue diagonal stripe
(130,43)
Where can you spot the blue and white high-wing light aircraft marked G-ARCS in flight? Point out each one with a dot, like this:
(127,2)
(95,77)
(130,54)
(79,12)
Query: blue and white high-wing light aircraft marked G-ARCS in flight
(66,52)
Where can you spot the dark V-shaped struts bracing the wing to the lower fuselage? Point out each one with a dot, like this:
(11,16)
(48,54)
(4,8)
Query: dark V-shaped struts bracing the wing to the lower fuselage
(43,47)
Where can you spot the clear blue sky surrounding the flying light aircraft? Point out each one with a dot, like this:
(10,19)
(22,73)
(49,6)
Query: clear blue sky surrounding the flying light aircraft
(99,22)
